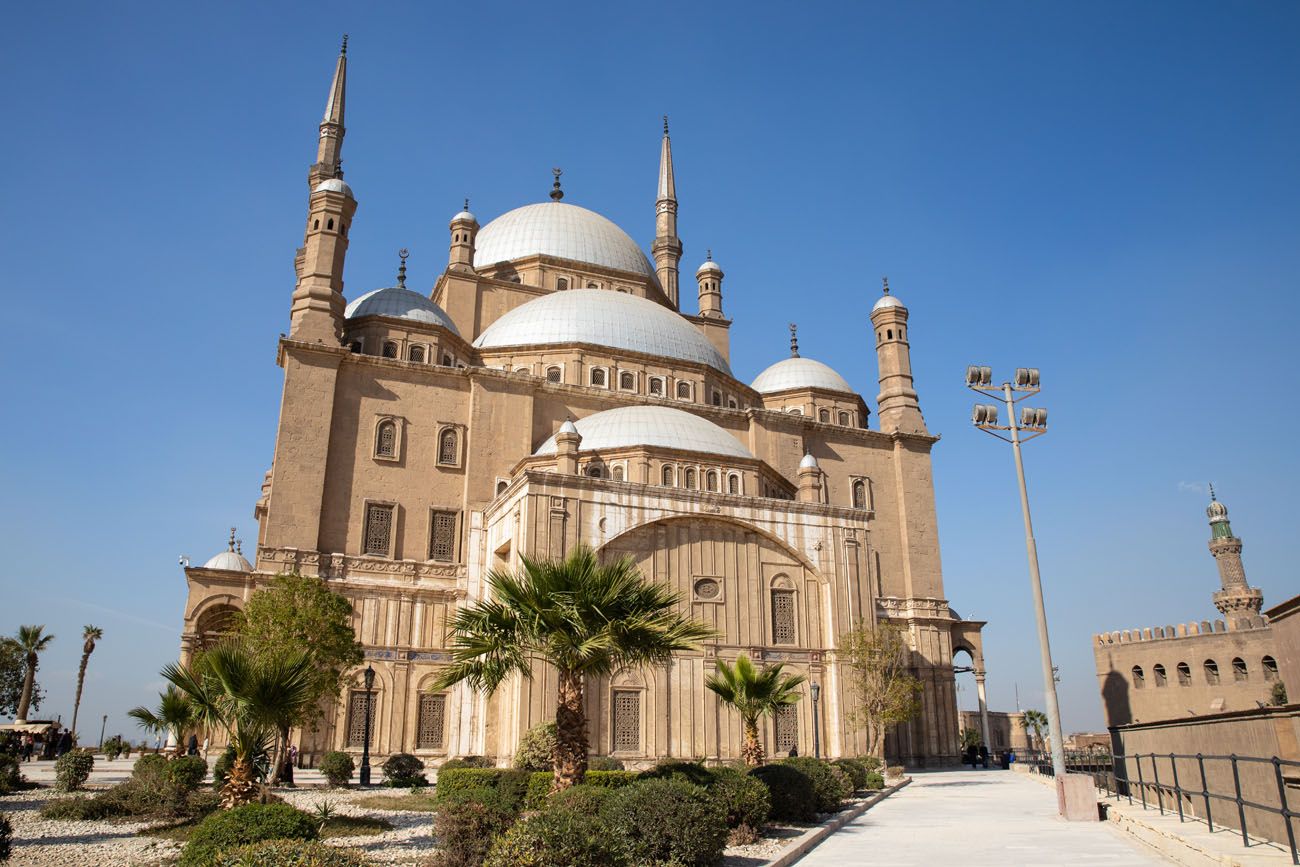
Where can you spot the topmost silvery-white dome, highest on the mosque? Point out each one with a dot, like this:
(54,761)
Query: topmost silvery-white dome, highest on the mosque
(564,231)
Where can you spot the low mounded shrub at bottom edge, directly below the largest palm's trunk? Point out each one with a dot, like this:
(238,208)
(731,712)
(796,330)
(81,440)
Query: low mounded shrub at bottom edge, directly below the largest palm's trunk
(560,838)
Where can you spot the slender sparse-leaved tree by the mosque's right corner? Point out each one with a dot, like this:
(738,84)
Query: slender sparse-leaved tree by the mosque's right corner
(885,693)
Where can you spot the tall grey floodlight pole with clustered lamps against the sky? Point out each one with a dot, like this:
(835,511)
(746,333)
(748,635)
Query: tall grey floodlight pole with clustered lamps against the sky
(1035,423)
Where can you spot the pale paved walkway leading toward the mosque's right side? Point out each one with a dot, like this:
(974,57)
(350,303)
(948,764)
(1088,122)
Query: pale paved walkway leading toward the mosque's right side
(976,818)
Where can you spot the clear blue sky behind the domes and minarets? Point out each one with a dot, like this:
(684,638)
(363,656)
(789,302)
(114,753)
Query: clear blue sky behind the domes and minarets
(1106,190)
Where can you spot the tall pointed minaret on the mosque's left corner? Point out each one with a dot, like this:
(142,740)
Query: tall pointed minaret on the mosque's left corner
(317,314)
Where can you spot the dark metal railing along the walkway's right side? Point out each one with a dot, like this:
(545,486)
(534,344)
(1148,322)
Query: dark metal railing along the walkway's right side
(1195,794)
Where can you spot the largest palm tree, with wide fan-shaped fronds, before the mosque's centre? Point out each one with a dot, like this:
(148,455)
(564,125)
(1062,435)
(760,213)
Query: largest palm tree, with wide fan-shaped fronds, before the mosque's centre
(583,618)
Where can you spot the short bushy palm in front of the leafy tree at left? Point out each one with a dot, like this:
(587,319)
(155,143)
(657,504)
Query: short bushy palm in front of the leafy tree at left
(249,697)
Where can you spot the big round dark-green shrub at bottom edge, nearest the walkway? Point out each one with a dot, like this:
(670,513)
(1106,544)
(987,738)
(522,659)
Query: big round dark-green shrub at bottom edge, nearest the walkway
(668,823)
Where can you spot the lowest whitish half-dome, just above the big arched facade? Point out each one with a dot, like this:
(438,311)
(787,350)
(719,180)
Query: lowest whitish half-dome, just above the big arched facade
(662,427)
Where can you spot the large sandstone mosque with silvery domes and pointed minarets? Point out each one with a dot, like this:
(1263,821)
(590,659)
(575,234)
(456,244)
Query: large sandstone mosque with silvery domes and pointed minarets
(552,392)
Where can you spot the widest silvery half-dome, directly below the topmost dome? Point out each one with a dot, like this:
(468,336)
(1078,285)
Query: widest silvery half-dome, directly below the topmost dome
(604,318)
